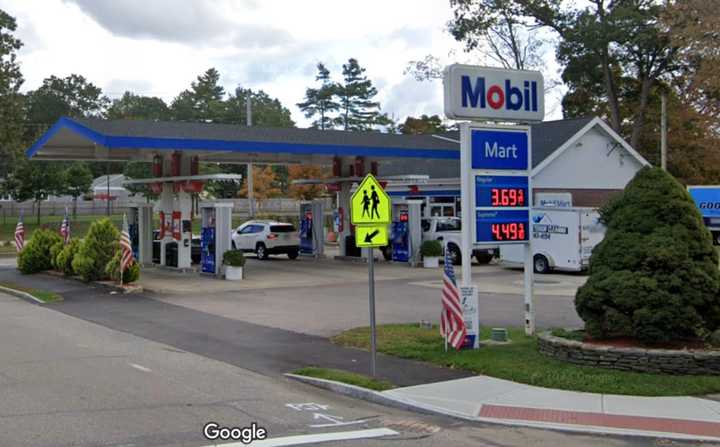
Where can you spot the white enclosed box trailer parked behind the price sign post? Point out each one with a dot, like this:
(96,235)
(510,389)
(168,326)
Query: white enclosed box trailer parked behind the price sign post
(562,239)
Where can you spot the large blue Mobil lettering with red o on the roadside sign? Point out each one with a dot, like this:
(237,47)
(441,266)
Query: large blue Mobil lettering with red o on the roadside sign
(476,93)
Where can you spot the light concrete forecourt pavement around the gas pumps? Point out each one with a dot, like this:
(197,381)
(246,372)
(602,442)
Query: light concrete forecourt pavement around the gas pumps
(332,297)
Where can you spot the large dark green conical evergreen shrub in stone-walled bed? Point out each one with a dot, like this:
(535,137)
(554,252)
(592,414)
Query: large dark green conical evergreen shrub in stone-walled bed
(655,275)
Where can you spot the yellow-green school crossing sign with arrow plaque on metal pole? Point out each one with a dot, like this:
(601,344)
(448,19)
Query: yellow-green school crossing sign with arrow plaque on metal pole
(370,213)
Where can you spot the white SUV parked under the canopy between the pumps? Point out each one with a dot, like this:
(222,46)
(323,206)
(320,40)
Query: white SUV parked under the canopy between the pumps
(267,238)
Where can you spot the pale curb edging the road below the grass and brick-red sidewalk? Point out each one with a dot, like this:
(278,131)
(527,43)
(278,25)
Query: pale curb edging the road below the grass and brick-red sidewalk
(395,402)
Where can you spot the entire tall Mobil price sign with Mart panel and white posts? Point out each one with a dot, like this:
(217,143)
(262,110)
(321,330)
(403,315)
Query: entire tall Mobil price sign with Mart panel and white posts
(495,160)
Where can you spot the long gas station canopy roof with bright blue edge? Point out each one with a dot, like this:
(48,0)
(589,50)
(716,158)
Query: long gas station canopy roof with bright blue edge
(98,139)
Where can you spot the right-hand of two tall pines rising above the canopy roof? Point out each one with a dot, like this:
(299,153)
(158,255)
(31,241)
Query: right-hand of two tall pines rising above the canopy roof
(358,111)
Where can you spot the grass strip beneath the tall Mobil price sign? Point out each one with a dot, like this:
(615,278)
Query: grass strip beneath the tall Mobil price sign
(520,361)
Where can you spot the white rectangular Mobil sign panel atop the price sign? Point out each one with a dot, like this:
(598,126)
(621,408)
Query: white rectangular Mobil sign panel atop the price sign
(483,93)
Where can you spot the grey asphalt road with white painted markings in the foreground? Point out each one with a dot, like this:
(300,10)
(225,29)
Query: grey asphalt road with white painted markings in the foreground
(68,382)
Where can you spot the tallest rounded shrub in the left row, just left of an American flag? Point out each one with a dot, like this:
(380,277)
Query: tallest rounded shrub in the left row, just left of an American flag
(97,248)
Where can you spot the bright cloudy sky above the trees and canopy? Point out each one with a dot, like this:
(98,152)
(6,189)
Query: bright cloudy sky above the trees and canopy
(157,47)
